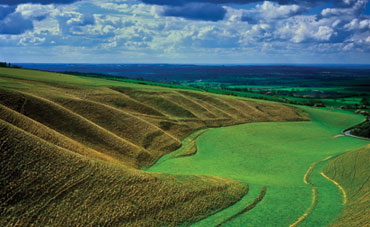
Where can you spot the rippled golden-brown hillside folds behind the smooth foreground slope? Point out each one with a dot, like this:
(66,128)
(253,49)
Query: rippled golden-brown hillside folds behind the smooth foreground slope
(109,122)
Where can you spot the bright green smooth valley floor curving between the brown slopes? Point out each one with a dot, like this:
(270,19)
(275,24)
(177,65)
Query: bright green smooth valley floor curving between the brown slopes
(275,155)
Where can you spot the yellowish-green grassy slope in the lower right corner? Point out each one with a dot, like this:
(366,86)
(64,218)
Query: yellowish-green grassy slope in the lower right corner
(351,171)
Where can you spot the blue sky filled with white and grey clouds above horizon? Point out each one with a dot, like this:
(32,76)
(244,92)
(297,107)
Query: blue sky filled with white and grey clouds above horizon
(185,31)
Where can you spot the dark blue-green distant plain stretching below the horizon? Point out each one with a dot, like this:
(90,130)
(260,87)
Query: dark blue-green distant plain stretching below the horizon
(328,86)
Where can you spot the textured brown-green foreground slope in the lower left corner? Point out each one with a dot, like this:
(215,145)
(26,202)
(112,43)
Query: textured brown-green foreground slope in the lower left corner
(45,184)
